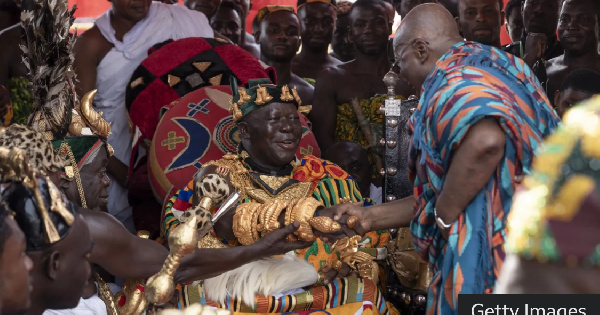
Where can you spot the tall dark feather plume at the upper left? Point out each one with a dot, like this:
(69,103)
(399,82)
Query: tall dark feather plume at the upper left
(48,56)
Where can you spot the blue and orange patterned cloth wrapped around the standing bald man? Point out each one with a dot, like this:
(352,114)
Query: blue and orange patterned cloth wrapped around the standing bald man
(469,83)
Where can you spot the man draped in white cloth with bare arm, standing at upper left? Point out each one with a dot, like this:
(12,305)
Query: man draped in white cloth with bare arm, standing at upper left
(106,56)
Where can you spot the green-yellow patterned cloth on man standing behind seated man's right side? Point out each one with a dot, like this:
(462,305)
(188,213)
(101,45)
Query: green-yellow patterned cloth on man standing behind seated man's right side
(347,127)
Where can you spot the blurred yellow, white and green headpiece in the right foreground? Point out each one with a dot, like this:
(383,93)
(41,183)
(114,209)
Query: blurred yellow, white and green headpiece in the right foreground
(556,218)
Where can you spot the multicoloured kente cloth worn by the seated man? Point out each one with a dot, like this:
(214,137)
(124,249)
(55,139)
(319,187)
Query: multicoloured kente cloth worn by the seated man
(329,184)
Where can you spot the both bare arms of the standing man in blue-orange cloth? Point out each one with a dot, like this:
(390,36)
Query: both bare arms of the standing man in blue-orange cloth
(472,166)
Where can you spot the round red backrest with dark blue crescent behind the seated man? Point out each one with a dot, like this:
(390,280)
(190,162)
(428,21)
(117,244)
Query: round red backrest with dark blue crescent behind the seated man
(204,135)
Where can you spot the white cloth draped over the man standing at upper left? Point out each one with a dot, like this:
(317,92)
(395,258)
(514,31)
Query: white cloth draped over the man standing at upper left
(164,21)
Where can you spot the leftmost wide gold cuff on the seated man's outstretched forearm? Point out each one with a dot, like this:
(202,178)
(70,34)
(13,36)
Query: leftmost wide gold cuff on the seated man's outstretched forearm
(244,222)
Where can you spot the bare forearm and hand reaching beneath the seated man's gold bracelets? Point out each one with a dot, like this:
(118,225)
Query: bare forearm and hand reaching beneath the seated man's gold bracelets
(208,263)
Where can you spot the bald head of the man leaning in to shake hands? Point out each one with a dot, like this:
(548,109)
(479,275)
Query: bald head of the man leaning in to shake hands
(424,35)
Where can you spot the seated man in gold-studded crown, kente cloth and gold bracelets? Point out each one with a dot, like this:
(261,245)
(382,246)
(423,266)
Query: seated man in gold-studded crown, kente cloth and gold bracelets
(277,190)
